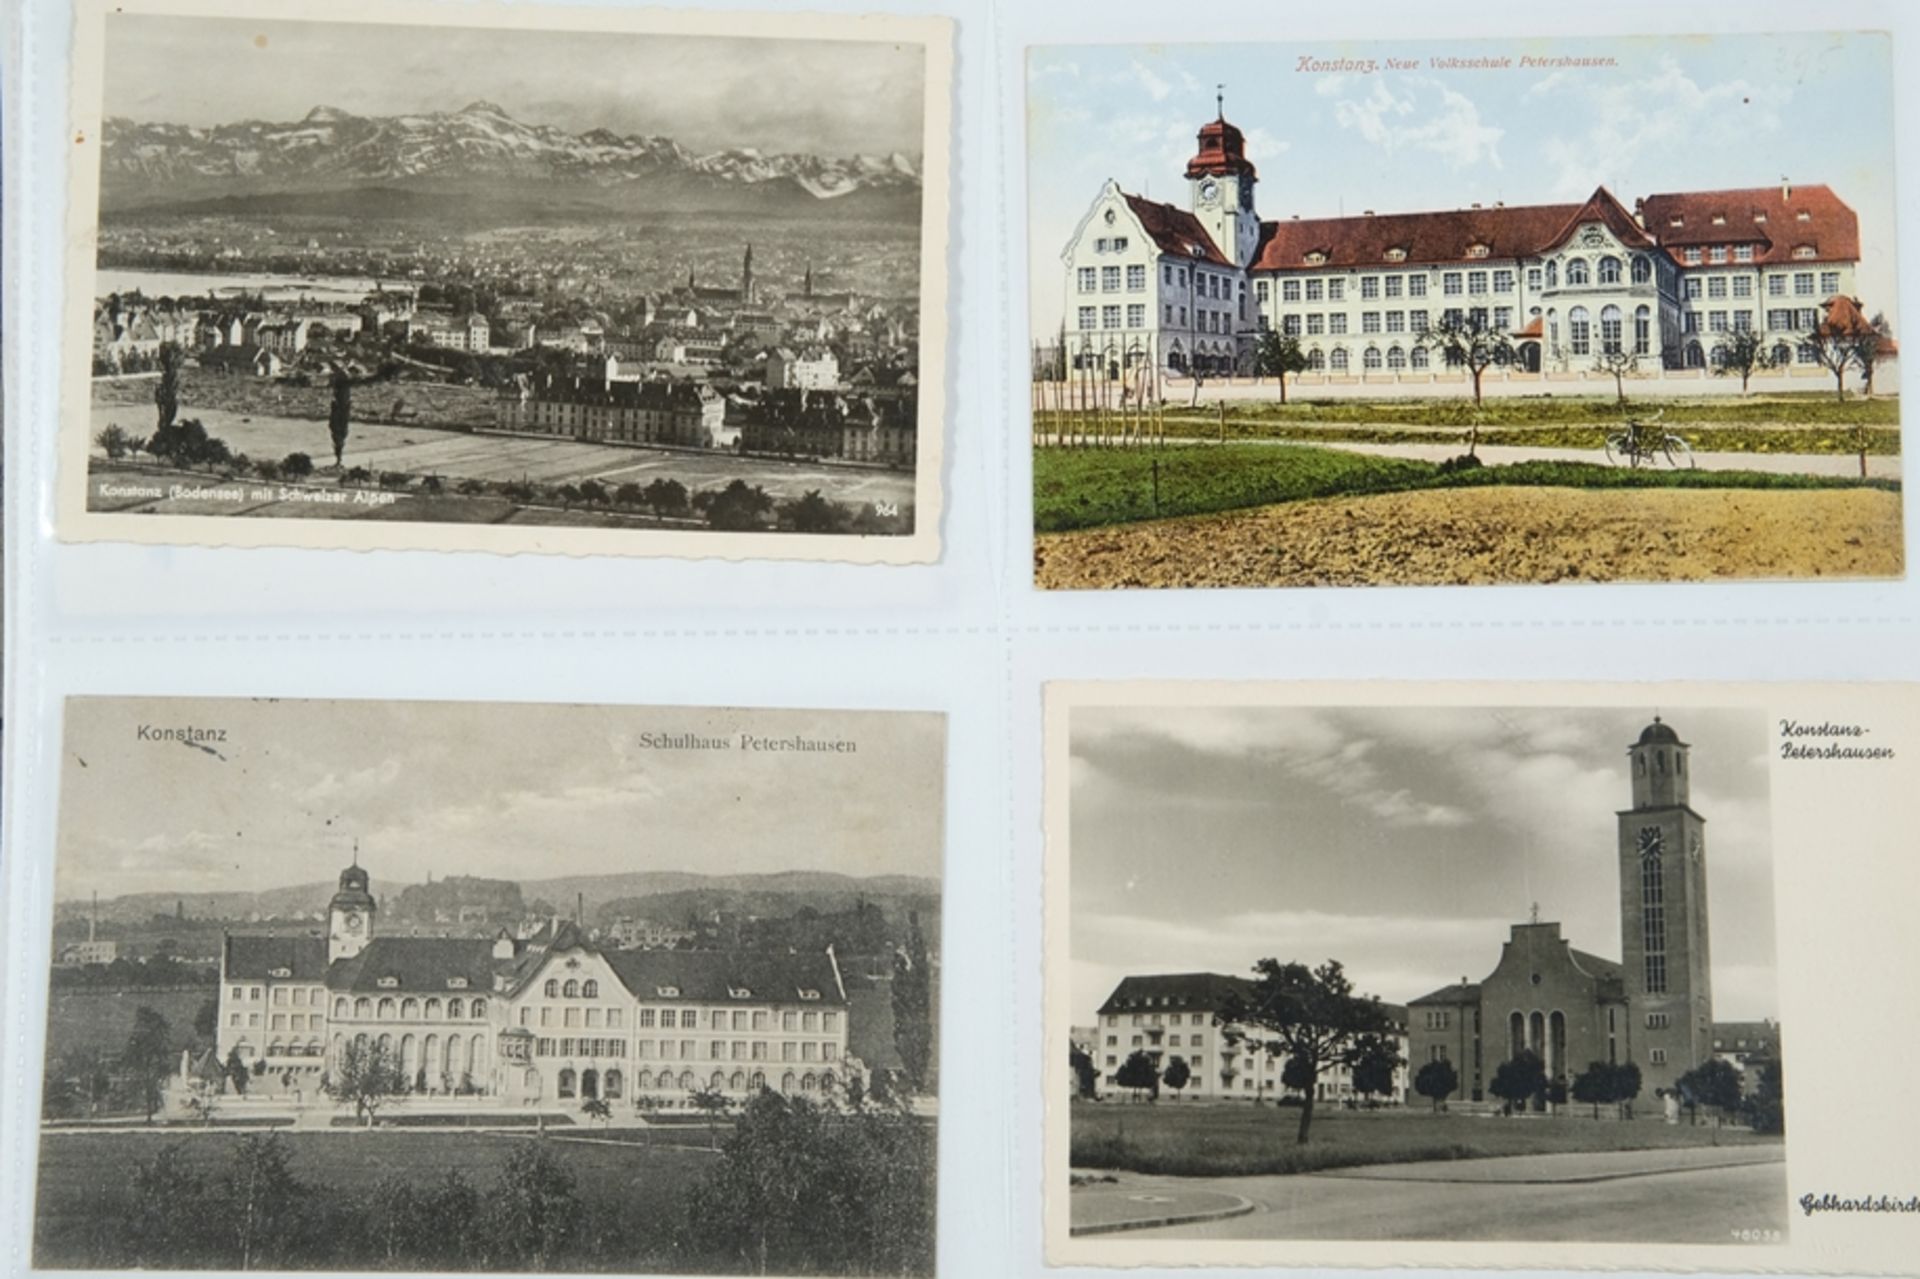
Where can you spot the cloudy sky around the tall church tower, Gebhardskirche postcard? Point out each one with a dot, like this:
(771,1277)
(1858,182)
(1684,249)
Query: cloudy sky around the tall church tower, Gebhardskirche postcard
(1404,844)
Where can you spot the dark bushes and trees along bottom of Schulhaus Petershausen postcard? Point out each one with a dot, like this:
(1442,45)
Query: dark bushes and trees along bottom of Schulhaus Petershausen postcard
(798,1188)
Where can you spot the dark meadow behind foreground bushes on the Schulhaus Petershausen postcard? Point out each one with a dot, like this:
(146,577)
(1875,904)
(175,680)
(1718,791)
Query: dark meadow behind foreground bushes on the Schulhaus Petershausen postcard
(85,1182)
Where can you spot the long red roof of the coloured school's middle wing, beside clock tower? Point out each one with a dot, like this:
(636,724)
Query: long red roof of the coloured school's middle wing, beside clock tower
(1439,237)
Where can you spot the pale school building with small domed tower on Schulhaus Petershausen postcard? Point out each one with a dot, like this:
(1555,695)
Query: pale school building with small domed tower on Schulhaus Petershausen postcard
(525,1021)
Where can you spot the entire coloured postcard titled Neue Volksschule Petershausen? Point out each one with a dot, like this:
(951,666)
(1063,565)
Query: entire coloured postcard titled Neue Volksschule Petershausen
(1589,310)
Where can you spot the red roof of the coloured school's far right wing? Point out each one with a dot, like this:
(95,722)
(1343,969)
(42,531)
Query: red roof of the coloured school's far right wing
(1831,229)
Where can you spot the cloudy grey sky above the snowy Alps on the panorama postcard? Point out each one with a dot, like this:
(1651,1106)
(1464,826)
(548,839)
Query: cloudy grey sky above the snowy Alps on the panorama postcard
(708,93)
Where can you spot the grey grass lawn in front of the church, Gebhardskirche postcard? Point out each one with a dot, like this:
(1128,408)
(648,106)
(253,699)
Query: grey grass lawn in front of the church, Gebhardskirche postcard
(1193,1140)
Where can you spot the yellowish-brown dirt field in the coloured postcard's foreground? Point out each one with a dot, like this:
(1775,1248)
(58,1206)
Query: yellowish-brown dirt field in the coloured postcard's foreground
(1495,535)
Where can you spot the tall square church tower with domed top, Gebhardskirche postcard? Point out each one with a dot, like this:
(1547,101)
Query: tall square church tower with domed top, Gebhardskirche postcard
(1664,913)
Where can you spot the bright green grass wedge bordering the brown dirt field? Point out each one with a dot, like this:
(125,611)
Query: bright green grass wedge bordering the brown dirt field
(1090,489)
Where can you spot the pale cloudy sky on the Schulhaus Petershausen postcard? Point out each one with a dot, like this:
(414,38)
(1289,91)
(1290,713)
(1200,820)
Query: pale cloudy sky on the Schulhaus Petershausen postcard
(514,792)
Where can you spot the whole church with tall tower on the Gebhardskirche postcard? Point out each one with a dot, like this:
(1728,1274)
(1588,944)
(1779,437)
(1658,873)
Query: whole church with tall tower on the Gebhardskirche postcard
(1654,1007)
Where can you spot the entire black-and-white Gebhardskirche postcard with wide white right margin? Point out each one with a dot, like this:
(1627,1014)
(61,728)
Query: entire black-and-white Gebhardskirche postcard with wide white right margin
(1477,975)
